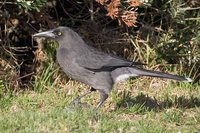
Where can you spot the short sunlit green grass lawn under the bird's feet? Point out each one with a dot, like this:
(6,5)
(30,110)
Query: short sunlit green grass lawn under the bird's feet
(172,108)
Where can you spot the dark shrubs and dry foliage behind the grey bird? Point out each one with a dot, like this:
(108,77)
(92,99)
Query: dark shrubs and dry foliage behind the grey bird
(164,34)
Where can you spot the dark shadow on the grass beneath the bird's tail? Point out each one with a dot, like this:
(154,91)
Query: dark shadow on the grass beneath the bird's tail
(153,104)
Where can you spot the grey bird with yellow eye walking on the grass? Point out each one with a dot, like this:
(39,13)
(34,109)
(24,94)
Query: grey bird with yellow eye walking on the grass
(93,67)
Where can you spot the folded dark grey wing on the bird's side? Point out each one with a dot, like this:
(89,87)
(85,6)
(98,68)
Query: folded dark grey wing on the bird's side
(103,62)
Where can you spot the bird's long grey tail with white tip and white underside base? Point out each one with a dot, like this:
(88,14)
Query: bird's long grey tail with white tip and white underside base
(124,73)
